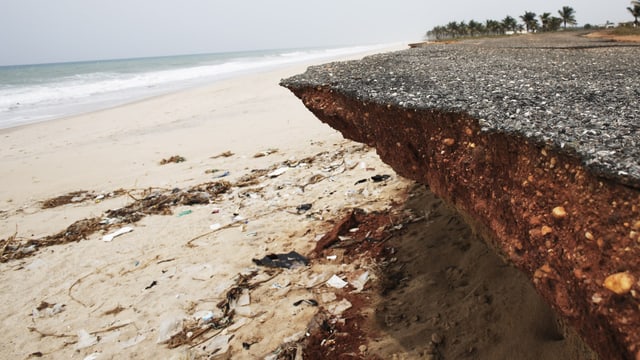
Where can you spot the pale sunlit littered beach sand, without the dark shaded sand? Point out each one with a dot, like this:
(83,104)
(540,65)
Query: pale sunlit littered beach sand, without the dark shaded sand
(125,298)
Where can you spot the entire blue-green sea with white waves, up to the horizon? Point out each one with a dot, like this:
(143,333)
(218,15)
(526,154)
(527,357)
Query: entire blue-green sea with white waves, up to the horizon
(32,93)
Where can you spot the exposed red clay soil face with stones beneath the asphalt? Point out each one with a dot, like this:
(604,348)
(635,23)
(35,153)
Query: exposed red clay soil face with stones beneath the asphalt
(508,187)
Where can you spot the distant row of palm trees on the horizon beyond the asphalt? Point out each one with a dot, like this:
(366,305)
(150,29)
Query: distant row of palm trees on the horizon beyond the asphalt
(531,22)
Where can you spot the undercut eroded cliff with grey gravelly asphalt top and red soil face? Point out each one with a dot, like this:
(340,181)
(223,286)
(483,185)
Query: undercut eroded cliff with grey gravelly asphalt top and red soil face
(534,139)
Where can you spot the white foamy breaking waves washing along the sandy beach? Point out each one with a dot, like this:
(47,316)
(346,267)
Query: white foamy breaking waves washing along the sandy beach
(92,91)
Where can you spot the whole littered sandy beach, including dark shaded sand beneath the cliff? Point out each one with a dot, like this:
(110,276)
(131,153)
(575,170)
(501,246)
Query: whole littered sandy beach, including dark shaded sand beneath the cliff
(186,277)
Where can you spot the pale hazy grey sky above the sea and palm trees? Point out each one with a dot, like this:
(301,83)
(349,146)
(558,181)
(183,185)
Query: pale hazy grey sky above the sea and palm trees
(39,31)
